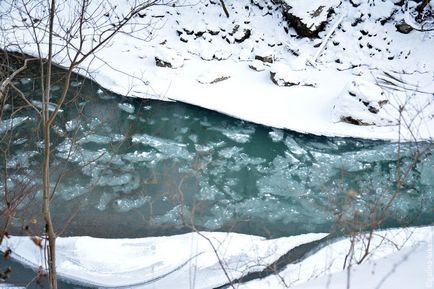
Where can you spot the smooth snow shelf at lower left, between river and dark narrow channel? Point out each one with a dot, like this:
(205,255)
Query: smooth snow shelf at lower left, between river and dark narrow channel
(179,261)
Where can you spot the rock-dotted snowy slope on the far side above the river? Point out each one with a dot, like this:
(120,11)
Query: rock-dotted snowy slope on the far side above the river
(207,59)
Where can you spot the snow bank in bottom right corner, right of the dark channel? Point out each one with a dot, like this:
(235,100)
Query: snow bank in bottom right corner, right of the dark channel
(398,258)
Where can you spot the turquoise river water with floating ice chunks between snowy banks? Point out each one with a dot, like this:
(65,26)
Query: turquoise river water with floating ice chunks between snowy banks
(134,168)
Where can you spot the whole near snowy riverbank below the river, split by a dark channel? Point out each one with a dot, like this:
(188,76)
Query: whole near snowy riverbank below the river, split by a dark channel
(396,257)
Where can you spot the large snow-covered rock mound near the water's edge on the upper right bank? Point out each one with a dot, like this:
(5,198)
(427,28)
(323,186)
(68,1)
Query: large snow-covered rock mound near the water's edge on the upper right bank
(364,103)
